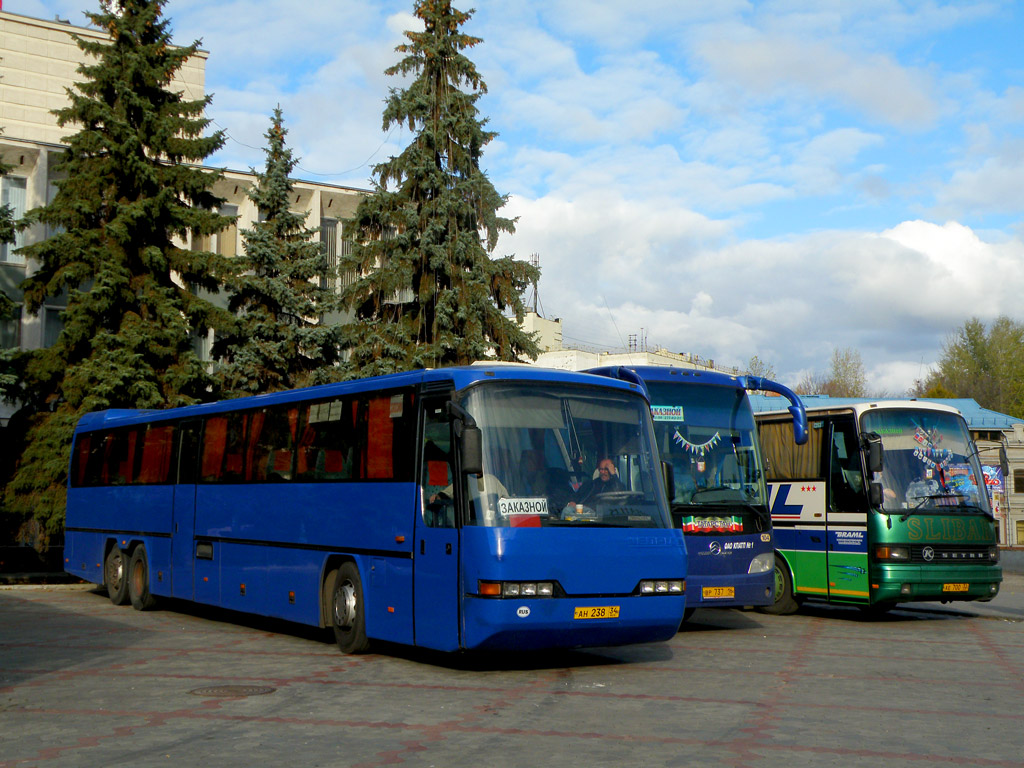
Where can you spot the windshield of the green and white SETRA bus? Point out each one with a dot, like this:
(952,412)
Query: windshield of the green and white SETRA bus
(929,463)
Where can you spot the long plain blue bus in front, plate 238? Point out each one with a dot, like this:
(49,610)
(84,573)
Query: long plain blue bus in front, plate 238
(432,508)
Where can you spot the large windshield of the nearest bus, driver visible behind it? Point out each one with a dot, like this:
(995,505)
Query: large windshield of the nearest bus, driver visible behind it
(557,455)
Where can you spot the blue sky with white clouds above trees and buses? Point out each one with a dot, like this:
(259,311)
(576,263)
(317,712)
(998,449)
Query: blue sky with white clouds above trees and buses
(736,179)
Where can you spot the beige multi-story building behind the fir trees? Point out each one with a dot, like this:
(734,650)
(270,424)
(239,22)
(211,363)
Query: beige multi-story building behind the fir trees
(38,62)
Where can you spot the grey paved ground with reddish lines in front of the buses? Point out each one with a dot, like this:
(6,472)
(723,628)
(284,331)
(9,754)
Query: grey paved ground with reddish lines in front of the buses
(84,684)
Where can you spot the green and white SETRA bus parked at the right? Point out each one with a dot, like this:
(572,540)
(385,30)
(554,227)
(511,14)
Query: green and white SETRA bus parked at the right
(885,503)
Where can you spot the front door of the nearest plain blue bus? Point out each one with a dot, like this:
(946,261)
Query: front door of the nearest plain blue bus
(436,551)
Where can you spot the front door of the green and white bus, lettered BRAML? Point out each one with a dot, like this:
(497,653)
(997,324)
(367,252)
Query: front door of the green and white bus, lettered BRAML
(846,514)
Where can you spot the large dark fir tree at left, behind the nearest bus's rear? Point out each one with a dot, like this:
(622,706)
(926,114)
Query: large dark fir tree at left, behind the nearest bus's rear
(132,193)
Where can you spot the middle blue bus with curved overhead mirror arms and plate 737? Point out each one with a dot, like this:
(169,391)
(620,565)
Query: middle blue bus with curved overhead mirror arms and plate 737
(705,429)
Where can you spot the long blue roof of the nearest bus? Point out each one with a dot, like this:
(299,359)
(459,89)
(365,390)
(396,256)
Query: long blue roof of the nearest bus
(460,377)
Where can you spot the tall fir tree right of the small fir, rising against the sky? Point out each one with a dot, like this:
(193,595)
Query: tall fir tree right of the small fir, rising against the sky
(425,290)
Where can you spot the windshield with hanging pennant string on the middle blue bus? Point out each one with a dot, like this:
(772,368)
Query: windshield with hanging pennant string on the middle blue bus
(711,444)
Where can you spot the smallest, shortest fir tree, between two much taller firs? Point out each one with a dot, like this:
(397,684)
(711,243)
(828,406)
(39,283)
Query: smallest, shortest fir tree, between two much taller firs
(279,339)
